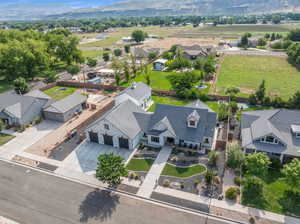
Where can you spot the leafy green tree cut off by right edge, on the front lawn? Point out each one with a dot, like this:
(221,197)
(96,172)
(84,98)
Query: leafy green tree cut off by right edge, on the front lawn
(291,171)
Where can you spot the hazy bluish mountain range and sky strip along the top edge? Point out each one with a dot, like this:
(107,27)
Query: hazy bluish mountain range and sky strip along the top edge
(37,9)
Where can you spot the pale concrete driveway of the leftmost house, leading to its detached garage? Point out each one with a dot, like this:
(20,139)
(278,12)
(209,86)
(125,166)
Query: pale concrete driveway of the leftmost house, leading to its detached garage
(27,138)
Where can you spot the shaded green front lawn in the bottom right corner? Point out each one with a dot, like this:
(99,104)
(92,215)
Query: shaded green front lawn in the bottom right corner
(279,197)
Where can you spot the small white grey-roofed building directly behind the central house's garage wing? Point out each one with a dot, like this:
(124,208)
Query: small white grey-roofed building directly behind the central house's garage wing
(139,93)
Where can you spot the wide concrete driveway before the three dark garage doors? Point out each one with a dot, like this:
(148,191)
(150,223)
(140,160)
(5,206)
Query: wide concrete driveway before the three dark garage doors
(84,157)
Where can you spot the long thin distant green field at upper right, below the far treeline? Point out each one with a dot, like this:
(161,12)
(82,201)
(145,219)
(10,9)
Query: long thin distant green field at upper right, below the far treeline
(232,31)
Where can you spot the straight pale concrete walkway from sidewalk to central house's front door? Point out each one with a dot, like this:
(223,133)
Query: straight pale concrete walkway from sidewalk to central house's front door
(154,173)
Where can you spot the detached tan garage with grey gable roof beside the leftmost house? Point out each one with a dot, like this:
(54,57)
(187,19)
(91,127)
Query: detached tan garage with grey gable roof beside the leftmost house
(63,110)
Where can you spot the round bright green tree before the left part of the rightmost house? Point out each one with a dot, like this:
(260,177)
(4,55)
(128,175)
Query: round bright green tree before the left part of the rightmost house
(257,164)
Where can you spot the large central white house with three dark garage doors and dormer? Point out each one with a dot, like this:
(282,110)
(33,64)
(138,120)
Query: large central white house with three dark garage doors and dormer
(127,125)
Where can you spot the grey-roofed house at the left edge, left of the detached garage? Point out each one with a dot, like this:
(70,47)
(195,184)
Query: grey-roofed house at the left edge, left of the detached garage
(18,109)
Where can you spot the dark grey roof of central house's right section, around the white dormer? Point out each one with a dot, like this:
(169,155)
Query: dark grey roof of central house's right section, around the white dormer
(177,121)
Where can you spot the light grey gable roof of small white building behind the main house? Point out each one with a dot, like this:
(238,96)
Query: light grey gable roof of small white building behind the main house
(137,91)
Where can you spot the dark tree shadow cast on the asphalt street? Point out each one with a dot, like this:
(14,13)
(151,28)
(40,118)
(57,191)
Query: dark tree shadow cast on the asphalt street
(98,205)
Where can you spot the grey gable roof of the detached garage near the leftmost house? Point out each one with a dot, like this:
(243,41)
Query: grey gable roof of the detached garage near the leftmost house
(67,103)
